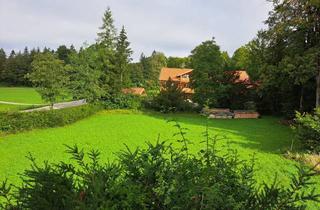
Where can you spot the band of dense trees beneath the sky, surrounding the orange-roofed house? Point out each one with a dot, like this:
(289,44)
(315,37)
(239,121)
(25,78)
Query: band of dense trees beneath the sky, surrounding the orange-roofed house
(283,59)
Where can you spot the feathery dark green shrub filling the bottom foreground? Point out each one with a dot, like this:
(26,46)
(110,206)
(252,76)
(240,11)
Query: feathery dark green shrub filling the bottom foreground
(157,177)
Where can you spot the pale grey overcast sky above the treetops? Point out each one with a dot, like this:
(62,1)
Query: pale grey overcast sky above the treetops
(174,27)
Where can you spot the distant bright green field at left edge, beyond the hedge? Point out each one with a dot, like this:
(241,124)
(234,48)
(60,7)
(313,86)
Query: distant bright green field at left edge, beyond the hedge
(20,95)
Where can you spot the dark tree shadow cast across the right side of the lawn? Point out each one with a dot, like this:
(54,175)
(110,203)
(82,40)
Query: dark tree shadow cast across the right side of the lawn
(265,134)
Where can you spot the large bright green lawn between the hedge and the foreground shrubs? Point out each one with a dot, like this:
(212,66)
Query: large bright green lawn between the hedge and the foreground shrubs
(109,131)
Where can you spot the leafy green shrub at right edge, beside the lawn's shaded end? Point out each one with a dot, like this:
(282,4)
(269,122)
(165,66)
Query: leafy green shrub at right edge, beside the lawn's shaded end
(307,127)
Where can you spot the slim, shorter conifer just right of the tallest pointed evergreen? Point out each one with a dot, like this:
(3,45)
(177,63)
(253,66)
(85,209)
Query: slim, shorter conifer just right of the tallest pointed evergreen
(123,57)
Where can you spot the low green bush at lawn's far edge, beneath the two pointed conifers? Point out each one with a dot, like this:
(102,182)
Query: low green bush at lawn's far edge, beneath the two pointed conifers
(122,101)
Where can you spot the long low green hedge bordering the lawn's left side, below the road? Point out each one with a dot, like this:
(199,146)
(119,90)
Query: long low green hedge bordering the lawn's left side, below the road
(18,121)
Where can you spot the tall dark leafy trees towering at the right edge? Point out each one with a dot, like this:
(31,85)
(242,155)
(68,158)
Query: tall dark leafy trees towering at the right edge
(287,56)
